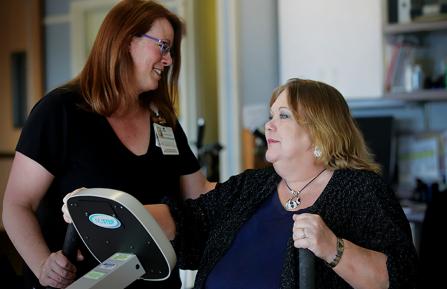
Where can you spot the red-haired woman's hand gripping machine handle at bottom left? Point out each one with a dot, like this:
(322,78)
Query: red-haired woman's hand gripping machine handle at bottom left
(57,271)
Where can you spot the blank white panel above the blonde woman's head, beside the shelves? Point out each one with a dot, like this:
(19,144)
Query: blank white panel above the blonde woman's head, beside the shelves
(335,41)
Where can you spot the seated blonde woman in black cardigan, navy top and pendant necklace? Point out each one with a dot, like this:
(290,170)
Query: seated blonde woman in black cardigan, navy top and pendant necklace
(323,193)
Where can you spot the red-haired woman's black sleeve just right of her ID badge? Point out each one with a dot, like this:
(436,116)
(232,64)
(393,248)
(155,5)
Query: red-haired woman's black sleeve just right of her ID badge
(188,159)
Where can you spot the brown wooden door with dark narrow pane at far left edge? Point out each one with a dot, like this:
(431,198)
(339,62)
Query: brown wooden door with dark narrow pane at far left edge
(21,35)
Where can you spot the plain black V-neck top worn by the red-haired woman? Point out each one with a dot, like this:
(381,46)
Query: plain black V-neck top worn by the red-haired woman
(81,149)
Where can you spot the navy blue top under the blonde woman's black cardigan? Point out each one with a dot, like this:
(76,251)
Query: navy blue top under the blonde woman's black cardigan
(259,249)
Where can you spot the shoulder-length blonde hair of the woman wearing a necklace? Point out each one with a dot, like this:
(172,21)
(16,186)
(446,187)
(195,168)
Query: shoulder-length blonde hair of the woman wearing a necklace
(323,111)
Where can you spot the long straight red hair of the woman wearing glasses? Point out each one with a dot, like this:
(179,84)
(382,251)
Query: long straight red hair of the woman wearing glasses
(107,79)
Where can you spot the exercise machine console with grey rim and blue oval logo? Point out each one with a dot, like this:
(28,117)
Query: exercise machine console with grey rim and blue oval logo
(122,235)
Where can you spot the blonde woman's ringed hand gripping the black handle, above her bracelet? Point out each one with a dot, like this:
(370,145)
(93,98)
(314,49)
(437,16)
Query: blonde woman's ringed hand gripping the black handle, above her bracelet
(310,232)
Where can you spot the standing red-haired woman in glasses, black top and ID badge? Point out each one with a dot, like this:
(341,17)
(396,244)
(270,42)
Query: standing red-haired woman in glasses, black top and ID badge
(101,130)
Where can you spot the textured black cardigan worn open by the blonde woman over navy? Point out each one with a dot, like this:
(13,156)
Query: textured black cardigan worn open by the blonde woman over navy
(356,205)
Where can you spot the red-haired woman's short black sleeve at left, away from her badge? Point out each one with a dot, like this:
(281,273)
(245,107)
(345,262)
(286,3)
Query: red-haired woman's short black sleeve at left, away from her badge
(43,138)
